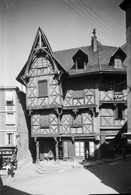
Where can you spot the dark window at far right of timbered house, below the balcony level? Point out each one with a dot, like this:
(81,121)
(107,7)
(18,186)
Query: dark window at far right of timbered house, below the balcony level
(119,112)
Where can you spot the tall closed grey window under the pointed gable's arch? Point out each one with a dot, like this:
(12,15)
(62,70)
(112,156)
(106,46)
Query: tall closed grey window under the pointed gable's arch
(42,88)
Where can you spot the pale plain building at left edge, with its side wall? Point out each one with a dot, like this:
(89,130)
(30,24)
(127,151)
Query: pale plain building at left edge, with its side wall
(13,125)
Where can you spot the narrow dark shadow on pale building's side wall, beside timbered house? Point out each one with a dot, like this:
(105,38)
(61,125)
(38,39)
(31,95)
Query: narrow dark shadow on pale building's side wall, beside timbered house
(27,119)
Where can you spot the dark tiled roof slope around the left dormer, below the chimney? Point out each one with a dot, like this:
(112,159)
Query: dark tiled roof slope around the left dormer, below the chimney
(101,56)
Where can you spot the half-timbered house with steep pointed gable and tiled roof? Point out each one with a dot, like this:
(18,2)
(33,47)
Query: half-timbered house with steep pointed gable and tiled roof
(76,99)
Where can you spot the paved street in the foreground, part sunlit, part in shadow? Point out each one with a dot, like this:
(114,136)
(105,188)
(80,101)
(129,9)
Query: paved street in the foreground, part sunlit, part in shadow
(108,178)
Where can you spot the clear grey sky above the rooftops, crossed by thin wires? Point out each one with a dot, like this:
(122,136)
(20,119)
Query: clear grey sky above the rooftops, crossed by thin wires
(66,24)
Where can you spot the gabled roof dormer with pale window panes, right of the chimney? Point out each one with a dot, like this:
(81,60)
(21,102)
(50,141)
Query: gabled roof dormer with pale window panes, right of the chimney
(117,59)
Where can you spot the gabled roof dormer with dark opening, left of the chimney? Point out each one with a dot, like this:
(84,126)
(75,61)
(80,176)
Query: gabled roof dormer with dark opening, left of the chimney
(80,60)
